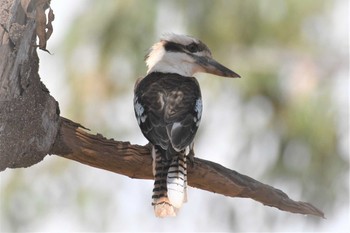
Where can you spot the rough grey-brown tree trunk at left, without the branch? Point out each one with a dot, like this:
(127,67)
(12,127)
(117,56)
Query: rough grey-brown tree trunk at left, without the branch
(28,114)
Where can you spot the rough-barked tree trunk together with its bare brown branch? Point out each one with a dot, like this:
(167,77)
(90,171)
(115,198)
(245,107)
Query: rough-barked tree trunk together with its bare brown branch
(30,126)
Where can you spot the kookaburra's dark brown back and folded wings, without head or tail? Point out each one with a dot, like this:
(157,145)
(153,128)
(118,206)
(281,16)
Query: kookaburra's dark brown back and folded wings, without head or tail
(168,108)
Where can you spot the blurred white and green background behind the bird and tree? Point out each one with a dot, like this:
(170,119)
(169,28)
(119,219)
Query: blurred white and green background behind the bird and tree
(58,195)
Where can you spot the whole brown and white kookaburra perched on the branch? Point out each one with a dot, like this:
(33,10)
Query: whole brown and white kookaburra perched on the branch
(168,108)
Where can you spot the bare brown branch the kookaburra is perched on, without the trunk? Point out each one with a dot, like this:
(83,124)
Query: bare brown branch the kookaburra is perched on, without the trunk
(73,142)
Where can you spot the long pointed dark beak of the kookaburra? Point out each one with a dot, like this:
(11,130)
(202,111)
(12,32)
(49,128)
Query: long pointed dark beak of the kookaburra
(209,65)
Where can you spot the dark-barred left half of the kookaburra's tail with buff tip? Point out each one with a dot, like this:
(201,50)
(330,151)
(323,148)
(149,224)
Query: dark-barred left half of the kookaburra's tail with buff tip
(161,202)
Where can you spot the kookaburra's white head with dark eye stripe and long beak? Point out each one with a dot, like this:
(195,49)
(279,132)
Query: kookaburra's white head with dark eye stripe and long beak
(184,55)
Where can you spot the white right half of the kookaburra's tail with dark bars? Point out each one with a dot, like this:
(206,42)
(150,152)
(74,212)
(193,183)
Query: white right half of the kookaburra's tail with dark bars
(177,180)
